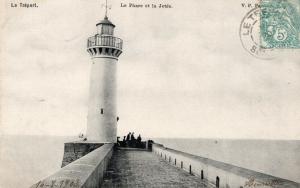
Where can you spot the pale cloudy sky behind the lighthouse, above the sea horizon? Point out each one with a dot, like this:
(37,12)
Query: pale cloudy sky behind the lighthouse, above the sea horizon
(183,72)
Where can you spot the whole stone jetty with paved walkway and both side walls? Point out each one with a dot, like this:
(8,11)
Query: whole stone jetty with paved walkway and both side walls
(89,170)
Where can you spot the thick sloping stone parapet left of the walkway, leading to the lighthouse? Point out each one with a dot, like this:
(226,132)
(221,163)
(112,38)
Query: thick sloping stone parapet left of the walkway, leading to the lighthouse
(86,172)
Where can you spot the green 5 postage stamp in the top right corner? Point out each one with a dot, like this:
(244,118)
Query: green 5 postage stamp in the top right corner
(280,24)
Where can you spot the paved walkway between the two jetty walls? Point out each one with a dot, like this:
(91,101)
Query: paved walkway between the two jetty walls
(144,169)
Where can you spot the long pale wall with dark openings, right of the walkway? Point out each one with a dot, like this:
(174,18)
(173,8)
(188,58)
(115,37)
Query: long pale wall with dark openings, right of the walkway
(227,175)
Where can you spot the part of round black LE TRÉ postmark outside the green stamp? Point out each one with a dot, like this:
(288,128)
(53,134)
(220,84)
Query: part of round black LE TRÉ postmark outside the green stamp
(250,35)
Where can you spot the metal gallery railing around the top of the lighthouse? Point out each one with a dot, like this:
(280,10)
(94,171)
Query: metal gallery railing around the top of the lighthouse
(100,40)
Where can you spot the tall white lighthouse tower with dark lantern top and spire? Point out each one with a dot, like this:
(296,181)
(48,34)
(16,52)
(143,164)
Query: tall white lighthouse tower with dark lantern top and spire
(104,50)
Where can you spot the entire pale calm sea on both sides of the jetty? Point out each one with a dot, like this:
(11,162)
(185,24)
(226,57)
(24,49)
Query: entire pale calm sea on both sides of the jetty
(24,160)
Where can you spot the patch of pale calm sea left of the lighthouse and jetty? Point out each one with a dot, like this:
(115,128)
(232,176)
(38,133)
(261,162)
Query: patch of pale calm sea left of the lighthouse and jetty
(24,160)
